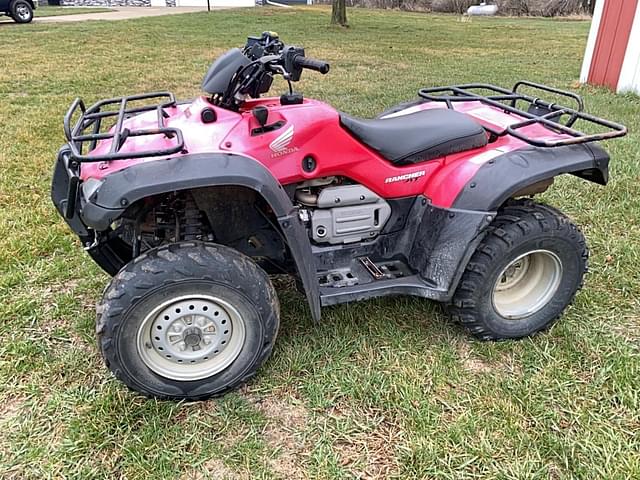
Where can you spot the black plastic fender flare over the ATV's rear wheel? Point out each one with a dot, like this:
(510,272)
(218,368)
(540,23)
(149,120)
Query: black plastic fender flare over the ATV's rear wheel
(505,175)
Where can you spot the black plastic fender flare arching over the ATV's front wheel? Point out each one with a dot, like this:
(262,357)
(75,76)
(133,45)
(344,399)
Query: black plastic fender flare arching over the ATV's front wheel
(122,188)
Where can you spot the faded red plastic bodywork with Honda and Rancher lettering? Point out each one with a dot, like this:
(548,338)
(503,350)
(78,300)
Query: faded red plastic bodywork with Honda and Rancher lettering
(313,130)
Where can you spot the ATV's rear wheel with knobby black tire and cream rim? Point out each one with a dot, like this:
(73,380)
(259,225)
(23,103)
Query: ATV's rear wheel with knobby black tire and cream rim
(523,275)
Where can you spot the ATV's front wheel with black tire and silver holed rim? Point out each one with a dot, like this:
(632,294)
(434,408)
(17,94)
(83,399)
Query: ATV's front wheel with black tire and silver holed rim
(187,321)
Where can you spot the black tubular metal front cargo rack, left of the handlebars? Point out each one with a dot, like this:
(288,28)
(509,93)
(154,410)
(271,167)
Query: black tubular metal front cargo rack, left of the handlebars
(87,130)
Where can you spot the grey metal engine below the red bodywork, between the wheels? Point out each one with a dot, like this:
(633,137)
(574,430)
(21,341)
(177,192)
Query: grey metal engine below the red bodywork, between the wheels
(338,213)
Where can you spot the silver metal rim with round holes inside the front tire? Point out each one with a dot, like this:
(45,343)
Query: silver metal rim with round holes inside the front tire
(191,337)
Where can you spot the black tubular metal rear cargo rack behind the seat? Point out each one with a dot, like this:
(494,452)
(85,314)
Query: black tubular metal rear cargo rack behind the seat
(558,118)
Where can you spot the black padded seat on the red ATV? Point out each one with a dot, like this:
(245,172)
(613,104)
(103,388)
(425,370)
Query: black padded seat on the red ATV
(417,137)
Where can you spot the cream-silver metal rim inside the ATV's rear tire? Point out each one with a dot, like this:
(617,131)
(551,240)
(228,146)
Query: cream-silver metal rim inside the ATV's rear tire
(527,284)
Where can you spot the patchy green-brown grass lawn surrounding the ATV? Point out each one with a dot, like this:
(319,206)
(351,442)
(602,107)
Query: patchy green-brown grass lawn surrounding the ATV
(383,389)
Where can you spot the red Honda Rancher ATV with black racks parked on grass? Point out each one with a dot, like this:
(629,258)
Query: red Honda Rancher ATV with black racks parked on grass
(192,205)
